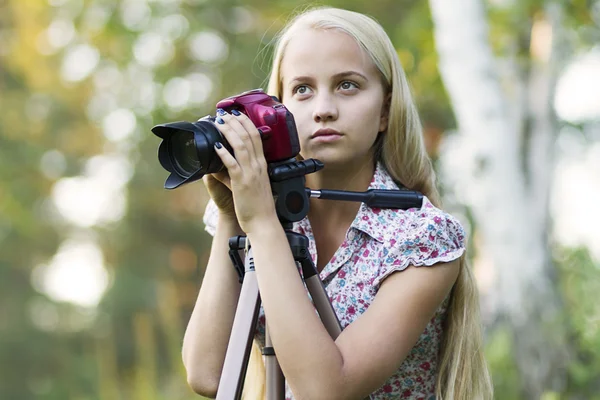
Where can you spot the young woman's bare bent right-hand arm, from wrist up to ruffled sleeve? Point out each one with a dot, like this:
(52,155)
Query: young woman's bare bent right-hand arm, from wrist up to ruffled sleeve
(369,350)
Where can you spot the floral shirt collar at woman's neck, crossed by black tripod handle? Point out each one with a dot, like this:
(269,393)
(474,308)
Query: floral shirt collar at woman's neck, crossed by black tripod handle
(366,216)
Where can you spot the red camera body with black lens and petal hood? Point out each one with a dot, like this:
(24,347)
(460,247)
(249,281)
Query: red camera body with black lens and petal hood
(187,148)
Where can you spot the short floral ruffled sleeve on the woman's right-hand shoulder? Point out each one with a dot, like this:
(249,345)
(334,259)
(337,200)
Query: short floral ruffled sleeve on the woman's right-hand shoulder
(427,236)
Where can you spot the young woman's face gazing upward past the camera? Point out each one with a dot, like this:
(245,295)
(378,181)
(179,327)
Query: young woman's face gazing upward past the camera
(335,93)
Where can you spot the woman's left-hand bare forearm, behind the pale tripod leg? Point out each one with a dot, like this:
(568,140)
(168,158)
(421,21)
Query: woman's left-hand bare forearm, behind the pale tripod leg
(209,328)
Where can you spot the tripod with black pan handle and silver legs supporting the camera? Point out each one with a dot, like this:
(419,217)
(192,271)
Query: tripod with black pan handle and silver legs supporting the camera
(291,204)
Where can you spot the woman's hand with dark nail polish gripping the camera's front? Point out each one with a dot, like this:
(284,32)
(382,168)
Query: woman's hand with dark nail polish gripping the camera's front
(248,174)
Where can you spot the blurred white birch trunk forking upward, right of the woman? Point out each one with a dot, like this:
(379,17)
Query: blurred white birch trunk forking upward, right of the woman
(500,164)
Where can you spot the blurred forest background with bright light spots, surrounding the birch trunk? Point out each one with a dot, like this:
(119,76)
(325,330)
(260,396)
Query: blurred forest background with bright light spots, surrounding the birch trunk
(100,266)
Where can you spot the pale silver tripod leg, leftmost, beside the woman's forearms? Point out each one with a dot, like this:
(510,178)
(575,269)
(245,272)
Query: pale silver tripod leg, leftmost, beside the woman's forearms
(242,333)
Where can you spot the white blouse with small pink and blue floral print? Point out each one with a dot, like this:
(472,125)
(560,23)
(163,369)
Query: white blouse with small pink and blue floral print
(378,243)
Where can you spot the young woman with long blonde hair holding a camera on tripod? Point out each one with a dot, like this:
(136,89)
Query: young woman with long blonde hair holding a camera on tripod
(397,279)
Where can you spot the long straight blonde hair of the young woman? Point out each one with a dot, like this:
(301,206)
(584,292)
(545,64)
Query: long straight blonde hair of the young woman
(462,371)
